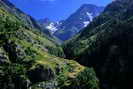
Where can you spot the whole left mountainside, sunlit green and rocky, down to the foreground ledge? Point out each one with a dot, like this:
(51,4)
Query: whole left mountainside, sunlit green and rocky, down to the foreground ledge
(31,60)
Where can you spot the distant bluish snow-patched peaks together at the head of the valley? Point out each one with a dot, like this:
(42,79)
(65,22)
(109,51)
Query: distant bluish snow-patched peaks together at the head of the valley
(66,29)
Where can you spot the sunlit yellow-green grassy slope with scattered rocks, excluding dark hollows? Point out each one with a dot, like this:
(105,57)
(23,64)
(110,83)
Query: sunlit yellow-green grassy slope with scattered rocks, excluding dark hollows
(26,48)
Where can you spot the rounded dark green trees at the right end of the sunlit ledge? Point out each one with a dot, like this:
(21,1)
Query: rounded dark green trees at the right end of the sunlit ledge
(85,80)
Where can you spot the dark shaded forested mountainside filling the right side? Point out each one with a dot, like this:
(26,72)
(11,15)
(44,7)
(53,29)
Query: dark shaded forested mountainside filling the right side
(106,45)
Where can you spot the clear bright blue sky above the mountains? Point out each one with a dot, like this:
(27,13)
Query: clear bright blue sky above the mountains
(54,9)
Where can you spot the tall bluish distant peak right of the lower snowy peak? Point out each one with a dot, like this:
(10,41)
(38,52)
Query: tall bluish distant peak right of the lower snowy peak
(77,21)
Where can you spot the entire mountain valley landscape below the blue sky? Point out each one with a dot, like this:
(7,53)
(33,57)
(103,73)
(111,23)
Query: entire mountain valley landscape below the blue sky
(96,52)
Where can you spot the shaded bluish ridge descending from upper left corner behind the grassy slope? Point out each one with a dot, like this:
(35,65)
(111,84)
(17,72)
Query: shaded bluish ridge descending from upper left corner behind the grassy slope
(29,22)
